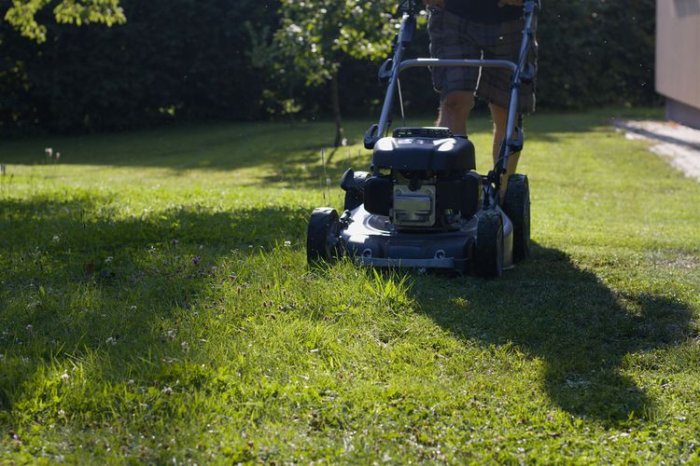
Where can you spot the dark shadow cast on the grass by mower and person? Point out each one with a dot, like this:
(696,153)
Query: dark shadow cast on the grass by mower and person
(581,329)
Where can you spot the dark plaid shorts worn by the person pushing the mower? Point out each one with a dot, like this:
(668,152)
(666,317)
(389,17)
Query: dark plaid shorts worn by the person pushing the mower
(452,36)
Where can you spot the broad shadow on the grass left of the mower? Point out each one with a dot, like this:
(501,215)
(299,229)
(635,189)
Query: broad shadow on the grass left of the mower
(78,282)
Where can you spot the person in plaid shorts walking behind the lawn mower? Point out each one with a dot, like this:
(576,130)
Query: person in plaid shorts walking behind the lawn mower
(475,29)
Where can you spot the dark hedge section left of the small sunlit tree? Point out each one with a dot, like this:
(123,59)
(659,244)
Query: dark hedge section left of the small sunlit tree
(171,61)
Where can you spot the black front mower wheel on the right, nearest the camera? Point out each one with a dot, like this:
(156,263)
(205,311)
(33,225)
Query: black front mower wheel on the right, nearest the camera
(488,251)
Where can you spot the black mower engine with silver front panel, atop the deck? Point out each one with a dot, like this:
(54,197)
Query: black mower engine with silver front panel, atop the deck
(422,179)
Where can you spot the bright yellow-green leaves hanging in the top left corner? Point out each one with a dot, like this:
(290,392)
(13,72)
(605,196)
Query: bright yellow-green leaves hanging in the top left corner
(22,14)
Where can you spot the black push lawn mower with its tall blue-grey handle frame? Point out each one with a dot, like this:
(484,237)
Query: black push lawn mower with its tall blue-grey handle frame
(422,204)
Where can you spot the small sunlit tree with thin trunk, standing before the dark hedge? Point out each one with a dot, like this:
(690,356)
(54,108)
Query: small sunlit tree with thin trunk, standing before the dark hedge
(317,35)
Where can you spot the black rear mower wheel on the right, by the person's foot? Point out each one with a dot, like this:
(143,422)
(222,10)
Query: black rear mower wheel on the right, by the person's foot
(516,205)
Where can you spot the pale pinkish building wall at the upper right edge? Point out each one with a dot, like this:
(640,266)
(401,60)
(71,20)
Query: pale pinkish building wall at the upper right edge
(678,54)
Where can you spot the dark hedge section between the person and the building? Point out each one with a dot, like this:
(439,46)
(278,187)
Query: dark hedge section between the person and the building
(596,52)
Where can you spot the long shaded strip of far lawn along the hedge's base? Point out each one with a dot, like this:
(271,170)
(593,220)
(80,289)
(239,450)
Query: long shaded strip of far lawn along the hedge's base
(283,146)
